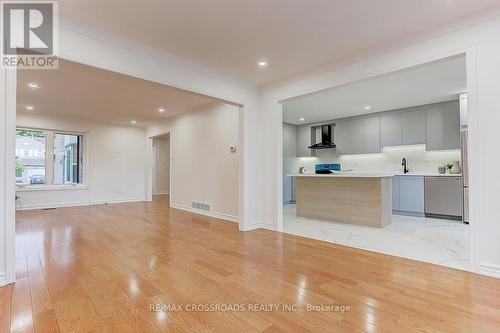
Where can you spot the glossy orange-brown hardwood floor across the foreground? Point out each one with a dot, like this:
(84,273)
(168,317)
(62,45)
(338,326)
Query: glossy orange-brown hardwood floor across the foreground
(100,268)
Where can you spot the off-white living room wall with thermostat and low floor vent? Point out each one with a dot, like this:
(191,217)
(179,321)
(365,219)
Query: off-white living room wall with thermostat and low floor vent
(202,167)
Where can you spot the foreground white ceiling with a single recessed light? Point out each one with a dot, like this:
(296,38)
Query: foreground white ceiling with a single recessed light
(229,36)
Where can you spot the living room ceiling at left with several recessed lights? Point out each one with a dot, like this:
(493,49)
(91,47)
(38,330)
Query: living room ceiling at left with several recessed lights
(86,92)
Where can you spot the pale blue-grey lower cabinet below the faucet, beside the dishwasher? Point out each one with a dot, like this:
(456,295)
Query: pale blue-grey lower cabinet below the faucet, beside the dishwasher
(411,194)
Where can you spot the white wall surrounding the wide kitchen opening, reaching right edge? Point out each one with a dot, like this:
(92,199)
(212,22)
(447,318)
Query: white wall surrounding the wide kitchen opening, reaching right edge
(480,43)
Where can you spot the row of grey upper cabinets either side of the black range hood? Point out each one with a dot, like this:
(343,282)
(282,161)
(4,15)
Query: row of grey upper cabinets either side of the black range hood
(436,125)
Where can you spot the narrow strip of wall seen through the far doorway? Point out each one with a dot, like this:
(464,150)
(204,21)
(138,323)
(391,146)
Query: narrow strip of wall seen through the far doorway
(162,166)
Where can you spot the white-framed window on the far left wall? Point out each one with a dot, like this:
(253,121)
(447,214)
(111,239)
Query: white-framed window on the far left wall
(46,157)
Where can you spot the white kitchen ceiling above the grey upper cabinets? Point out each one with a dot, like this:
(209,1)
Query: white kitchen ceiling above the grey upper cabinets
(429,83)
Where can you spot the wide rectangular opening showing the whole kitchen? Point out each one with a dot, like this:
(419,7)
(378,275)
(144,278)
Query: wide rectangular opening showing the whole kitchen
(408,129)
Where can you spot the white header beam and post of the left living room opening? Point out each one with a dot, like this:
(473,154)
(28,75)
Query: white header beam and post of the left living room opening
(106,51)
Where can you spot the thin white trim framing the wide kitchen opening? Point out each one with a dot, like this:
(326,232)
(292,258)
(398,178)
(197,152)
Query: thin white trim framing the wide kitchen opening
(474,196)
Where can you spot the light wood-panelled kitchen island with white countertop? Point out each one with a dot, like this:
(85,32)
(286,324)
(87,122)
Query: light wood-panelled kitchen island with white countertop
(350,198)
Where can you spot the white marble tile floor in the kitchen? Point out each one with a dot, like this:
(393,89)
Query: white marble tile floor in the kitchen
(436,241)
